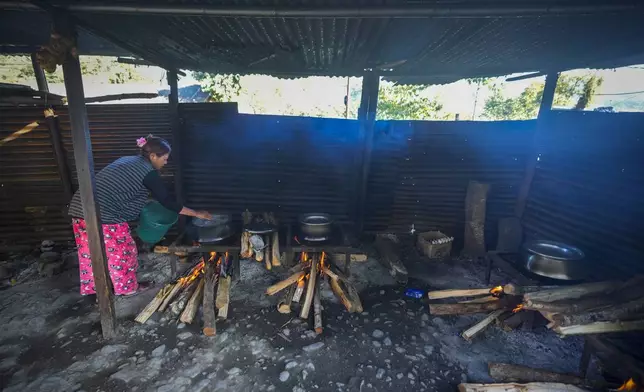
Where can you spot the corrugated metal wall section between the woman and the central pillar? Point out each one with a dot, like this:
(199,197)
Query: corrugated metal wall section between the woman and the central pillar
(289,165)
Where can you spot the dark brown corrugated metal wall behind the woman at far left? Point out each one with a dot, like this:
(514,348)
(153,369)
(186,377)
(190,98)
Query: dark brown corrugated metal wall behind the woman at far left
(33,205)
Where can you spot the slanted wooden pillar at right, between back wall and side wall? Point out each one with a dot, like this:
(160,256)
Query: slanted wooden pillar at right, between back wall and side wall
(531,164)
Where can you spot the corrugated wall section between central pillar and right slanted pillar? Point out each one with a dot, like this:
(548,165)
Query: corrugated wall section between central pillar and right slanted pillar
(423,168)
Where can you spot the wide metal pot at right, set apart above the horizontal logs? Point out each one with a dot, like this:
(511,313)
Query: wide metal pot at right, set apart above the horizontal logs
(554,260)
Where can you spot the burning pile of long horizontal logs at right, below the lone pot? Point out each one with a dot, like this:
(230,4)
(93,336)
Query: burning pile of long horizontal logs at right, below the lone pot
(588,308)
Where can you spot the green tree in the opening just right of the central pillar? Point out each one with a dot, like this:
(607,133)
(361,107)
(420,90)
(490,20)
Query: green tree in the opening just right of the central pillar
(407,102)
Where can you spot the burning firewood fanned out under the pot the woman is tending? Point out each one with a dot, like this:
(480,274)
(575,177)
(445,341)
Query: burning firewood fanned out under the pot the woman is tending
(207,284)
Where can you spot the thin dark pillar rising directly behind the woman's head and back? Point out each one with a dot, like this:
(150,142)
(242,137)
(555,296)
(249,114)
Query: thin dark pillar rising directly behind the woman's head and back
(177,139)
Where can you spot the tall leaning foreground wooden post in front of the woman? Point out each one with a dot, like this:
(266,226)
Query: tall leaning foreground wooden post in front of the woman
(85,169)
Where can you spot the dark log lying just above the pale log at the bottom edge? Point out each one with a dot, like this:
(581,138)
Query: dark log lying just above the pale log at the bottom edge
(503,372)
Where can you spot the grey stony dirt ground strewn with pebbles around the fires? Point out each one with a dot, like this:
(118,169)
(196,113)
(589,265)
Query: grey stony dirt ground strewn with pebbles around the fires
(50,338)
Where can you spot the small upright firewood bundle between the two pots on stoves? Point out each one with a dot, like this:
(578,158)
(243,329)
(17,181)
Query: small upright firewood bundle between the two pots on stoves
(263,248)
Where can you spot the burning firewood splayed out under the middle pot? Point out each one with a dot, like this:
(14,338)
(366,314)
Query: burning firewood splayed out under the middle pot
(304,281)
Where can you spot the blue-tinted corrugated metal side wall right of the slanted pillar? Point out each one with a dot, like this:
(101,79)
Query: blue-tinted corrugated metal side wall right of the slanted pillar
(589,186)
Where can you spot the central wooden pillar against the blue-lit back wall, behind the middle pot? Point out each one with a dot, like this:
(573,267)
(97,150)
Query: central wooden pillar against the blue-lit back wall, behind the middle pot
(367,119)
